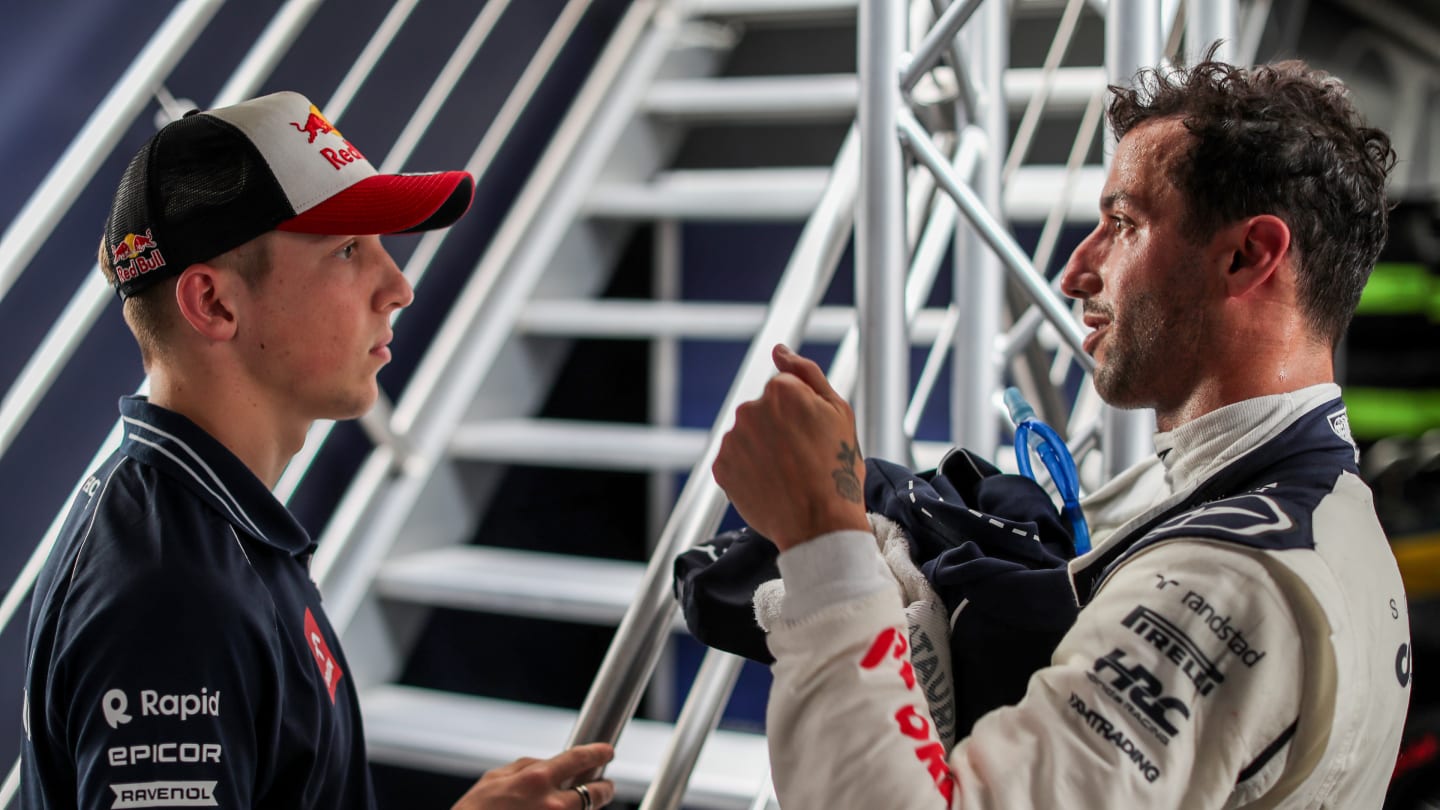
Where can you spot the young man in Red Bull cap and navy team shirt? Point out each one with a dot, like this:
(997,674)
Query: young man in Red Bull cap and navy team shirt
(178,651)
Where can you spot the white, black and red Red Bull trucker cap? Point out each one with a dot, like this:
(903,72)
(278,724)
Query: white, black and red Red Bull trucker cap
(218,179)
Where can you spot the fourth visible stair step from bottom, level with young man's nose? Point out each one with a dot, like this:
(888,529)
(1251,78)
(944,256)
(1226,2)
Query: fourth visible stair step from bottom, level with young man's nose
(689,321)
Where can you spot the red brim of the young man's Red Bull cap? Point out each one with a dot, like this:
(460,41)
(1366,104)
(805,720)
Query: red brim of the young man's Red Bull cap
(390,204)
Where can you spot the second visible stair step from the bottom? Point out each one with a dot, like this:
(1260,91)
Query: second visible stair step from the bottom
(516,583)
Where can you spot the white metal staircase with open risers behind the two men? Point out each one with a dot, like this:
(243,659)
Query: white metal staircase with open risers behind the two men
(398,540)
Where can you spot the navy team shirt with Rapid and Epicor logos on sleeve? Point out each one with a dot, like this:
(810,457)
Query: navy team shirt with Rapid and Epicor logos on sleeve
(178,652)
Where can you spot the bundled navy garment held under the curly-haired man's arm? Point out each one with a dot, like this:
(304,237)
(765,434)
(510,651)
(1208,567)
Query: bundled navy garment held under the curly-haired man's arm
(987,541)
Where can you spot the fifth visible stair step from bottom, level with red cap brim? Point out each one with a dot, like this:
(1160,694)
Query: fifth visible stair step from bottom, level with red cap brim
(754,195)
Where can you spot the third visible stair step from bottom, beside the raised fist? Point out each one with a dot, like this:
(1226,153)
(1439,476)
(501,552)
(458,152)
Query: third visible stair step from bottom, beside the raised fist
(595,446)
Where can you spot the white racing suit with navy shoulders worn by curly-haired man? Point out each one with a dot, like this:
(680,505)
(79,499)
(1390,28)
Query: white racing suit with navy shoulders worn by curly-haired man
(1241,644)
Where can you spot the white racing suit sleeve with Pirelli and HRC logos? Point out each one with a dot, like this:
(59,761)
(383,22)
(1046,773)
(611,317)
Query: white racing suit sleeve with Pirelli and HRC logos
(1171,684)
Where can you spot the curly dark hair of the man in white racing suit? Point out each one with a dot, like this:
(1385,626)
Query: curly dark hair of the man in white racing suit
(1278,139)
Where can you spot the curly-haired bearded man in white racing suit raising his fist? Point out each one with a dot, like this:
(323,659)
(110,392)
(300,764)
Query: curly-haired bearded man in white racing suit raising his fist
(1242,641)
